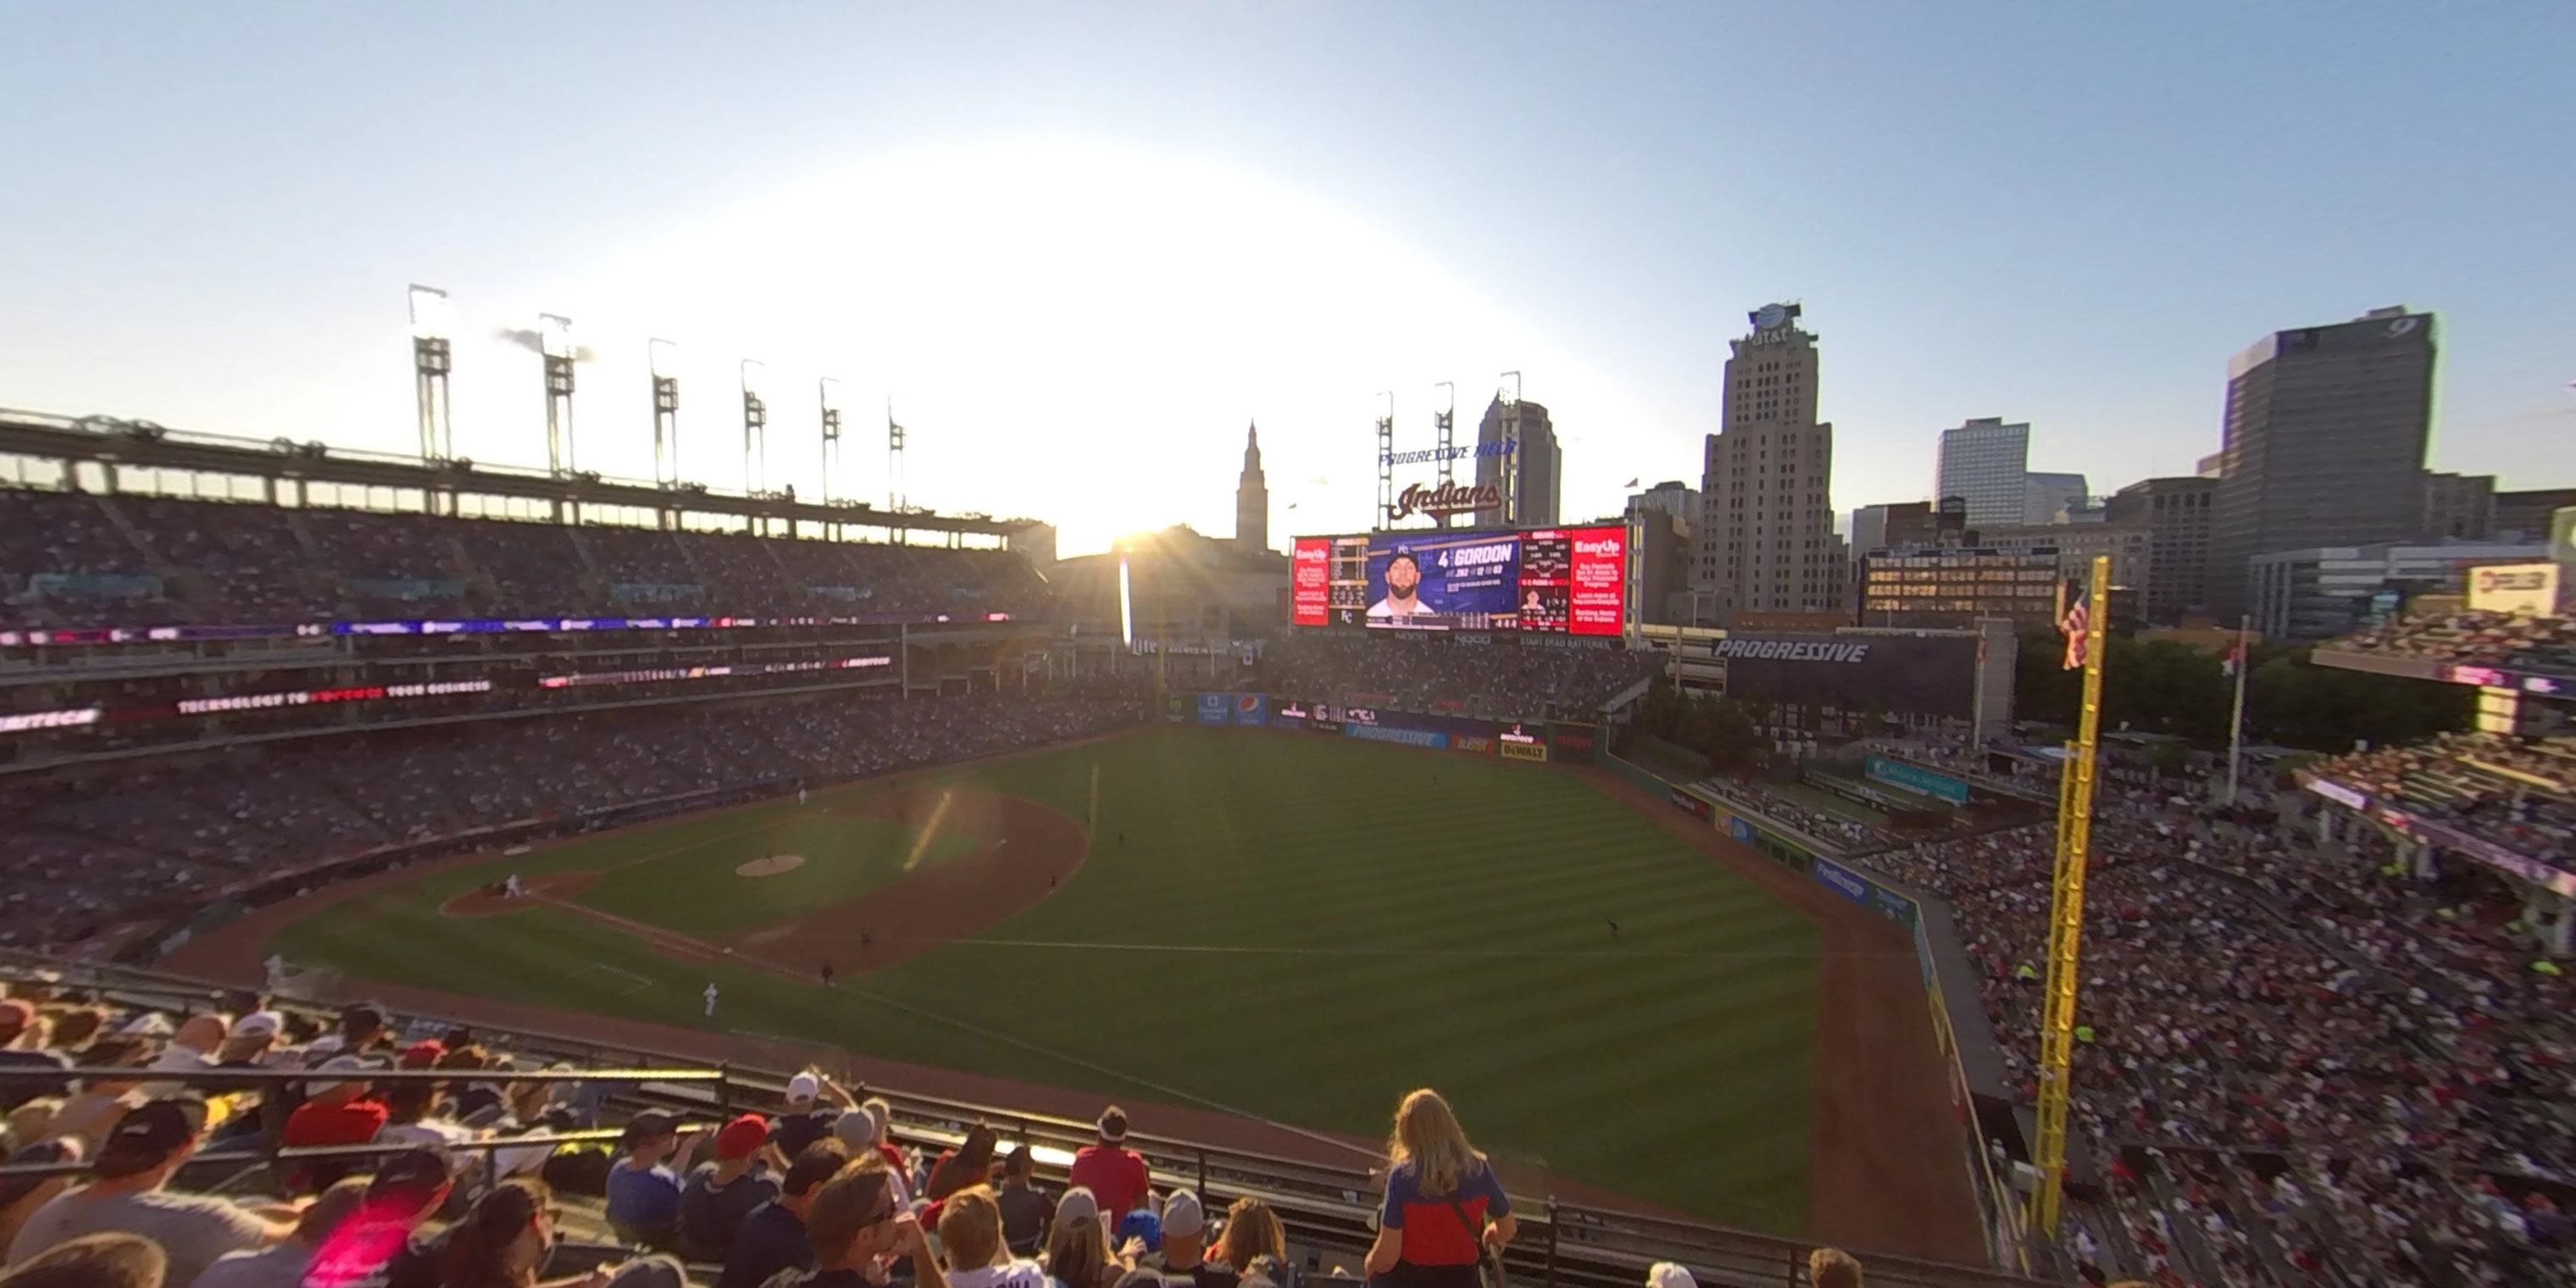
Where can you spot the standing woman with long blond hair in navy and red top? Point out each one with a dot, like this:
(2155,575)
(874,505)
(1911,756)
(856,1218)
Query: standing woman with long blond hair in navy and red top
(1444,1207)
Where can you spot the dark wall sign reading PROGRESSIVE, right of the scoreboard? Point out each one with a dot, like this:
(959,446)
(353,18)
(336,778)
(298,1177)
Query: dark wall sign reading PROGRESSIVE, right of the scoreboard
(1900,676)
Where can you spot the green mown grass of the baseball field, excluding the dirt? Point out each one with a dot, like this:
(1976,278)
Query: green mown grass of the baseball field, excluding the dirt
(1294,926)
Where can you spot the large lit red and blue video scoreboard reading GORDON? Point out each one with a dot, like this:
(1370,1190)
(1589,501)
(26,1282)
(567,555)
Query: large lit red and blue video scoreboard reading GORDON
(1544,581)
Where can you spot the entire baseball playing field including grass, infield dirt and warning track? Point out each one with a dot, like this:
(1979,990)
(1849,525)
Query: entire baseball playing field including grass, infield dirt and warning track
(1243,923)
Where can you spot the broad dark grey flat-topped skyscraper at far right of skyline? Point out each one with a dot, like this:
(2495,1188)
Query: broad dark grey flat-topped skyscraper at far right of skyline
(2325,444)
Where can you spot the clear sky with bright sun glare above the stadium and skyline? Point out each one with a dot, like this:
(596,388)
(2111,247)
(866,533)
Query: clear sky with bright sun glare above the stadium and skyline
(1083,246)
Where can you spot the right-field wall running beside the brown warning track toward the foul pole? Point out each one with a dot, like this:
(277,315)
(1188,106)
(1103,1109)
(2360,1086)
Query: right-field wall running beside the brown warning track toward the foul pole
(1980,1088)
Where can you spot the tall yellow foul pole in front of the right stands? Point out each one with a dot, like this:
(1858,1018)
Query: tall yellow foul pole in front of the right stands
(2067,916)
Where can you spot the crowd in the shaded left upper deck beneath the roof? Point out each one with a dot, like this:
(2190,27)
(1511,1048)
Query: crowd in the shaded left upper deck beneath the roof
(91,560)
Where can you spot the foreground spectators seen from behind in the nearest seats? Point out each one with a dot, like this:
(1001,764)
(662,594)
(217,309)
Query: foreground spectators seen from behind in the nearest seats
(169,1179)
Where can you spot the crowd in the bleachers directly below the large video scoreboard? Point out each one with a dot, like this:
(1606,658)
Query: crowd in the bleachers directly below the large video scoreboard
(1498,681)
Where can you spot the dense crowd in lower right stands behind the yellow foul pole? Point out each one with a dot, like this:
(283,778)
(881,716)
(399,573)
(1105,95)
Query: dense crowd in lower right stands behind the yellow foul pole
(2291,1055)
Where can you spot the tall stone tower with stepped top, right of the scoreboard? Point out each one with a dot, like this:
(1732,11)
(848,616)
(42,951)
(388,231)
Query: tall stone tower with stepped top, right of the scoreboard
(1768,529)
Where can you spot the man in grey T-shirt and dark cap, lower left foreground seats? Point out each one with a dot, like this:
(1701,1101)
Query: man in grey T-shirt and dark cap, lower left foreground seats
(128,1194)
